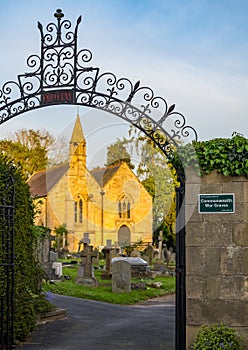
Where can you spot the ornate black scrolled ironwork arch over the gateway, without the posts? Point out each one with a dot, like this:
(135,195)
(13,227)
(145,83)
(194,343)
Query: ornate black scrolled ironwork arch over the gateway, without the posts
(62,75)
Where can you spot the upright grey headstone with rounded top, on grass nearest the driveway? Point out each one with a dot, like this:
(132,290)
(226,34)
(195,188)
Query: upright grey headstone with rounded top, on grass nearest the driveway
(121,277)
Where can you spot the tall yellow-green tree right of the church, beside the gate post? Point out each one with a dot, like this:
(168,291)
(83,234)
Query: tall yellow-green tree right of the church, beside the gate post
(160,179)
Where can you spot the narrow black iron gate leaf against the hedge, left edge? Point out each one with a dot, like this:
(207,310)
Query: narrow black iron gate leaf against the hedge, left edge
(7,209)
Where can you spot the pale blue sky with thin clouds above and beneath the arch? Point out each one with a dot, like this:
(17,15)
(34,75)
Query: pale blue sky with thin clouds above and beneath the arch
(192,53)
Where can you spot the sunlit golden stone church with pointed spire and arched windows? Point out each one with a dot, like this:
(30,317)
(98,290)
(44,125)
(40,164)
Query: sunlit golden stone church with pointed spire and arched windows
(108,204)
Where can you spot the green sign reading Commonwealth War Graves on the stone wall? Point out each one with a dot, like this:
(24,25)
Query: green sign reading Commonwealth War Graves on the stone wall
(216,203)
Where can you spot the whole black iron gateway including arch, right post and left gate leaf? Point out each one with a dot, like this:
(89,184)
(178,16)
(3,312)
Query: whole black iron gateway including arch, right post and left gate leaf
(62,74)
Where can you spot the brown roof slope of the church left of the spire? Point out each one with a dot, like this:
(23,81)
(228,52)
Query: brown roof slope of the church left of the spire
(43,181)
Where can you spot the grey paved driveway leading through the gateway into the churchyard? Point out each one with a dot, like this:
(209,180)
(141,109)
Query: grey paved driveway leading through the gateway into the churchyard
(92,325)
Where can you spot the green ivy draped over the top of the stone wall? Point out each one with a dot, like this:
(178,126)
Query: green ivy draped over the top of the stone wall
(227,156)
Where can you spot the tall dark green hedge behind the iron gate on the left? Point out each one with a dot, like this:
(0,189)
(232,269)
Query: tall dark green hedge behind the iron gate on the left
(28,275)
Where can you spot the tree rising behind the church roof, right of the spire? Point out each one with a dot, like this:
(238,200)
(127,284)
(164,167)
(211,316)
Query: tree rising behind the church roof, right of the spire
(117,153)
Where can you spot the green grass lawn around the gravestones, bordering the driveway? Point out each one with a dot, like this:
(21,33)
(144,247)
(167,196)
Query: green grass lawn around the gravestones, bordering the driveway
(104,290)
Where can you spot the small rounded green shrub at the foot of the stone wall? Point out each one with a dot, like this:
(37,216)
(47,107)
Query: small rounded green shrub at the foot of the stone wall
(213,337)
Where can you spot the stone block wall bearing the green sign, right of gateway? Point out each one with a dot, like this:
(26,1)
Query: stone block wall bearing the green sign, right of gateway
(217,257)
